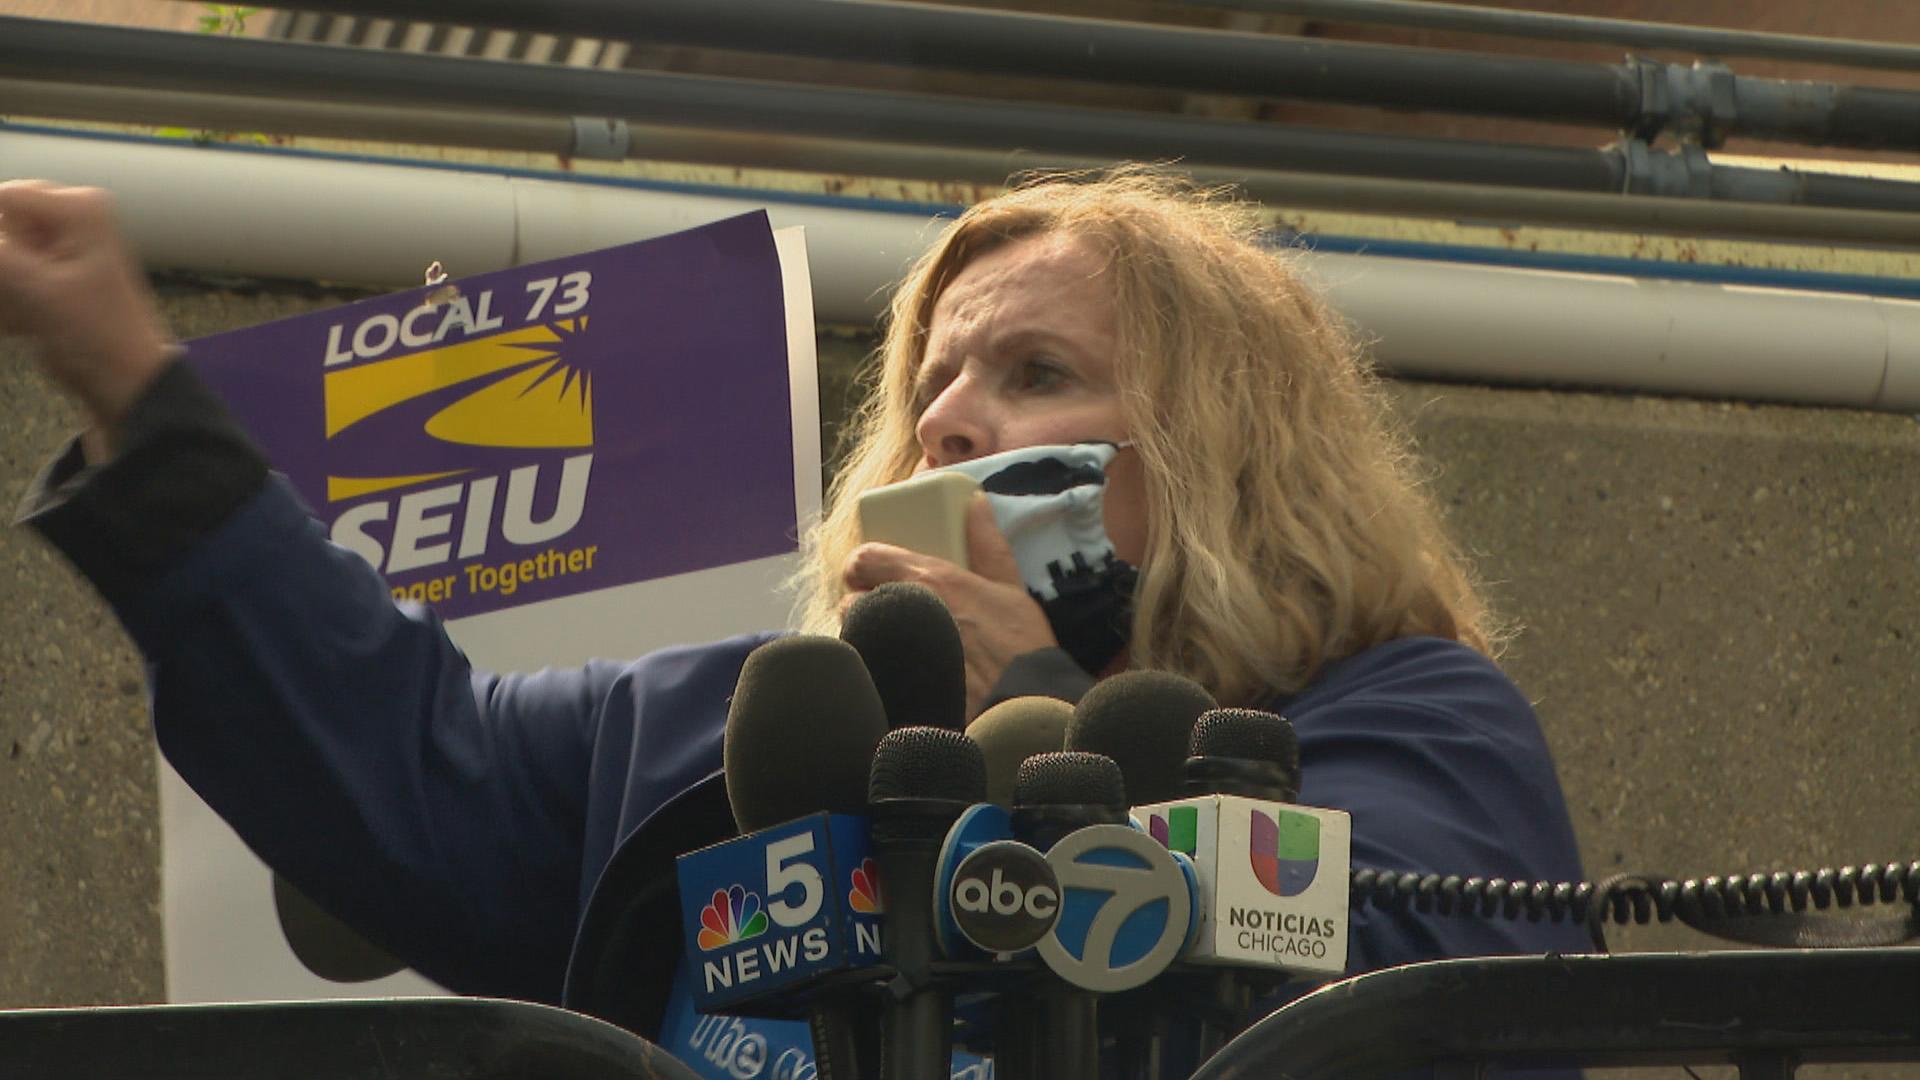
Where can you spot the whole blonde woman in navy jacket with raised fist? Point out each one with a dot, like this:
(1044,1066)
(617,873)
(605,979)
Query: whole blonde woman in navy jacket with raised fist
(1243,512)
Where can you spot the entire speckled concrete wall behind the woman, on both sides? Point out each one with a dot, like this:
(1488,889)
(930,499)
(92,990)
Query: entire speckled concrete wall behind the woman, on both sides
(1721,606)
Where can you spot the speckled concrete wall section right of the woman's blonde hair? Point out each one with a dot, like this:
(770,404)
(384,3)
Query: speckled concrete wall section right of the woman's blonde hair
(1721,610)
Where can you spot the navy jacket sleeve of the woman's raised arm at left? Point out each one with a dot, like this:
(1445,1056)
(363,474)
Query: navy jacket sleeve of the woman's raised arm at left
(345,737)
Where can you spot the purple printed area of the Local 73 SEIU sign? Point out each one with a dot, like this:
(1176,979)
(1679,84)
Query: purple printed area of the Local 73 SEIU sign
(544,431)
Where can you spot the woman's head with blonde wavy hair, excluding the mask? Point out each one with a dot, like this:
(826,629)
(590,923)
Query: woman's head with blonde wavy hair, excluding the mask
(1272,504)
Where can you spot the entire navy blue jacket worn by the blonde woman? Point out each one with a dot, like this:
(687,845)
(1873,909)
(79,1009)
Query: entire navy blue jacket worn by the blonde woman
(466,820)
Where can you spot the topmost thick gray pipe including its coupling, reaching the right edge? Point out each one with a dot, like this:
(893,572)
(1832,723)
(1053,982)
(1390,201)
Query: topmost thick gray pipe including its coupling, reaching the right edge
(1264,66)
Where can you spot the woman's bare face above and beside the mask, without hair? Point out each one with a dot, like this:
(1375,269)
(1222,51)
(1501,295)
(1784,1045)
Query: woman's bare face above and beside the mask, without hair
(1020,353)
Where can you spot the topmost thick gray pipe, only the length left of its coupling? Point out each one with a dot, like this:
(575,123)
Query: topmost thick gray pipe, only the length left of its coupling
(1059,47)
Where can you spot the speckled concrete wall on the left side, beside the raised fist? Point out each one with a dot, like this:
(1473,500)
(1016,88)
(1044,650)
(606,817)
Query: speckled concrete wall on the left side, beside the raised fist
(80,818)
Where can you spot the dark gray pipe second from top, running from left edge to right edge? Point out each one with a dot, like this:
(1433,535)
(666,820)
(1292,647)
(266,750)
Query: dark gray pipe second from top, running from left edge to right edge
(39,49)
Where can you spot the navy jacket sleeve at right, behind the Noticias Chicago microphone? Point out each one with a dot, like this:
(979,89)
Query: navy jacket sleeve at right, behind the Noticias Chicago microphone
(1443,768)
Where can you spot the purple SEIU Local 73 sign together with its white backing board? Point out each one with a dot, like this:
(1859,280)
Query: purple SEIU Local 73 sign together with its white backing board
(600,454)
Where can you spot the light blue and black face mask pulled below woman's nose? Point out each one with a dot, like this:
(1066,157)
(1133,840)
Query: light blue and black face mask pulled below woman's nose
(1051,504)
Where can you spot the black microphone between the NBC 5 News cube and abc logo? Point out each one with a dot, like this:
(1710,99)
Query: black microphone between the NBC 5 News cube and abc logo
(921,783)
